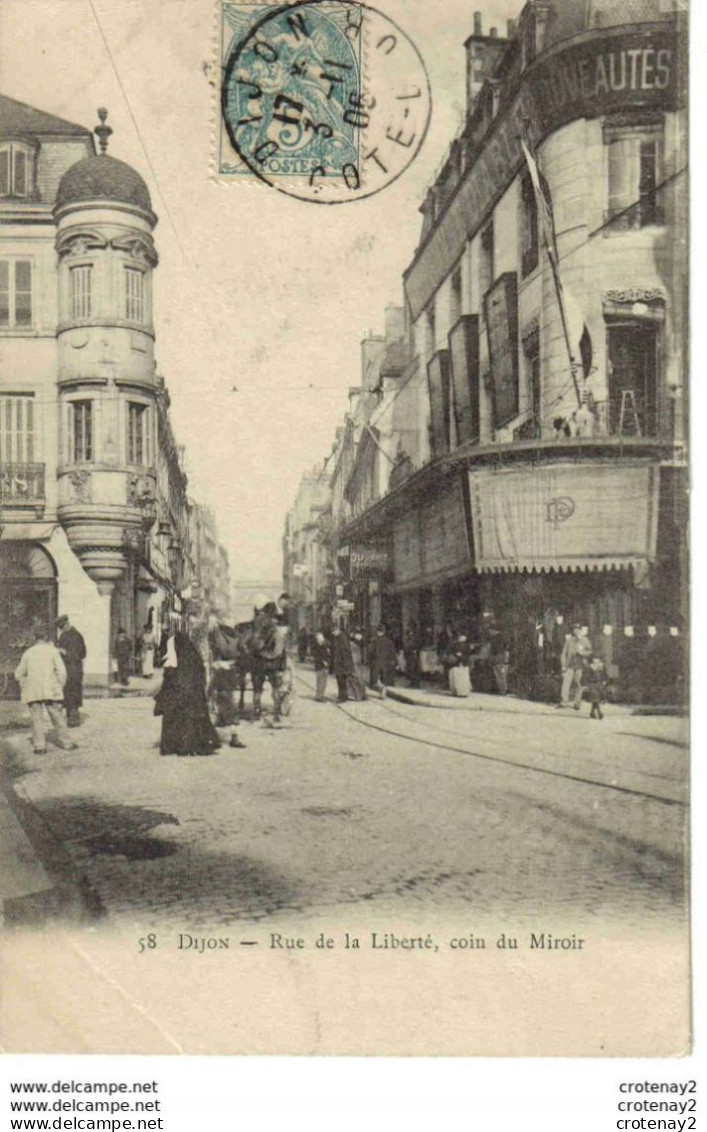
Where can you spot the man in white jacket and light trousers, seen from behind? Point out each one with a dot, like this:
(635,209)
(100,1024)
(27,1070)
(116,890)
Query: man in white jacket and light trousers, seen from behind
(42,676)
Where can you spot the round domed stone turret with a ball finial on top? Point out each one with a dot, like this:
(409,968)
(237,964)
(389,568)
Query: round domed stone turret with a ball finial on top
(107,370)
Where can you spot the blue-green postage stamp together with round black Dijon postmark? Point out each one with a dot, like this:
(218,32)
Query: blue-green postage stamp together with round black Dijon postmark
(327,101)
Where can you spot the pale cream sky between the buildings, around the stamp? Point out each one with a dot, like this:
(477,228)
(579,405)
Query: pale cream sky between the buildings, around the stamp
(261,301)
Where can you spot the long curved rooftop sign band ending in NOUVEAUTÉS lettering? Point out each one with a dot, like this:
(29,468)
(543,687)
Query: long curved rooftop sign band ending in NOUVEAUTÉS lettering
(610,72)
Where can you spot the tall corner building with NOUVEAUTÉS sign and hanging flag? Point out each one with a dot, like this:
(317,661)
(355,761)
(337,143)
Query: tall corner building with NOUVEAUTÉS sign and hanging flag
(546,493)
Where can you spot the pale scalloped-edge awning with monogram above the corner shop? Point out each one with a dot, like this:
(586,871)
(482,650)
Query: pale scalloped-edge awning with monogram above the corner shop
(565,517)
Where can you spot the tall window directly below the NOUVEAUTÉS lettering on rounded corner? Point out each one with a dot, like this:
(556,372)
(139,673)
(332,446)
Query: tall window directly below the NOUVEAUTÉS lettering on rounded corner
(635,174)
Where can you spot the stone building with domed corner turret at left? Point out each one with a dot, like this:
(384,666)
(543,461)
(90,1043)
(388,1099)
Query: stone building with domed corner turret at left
(79,390)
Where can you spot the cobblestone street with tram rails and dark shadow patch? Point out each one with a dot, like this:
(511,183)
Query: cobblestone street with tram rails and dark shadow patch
(503,810)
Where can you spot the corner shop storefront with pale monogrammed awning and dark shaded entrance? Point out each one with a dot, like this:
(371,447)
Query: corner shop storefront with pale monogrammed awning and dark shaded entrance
(588,545)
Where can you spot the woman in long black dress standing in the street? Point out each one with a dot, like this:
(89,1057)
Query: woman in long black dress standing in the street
(186,726)
